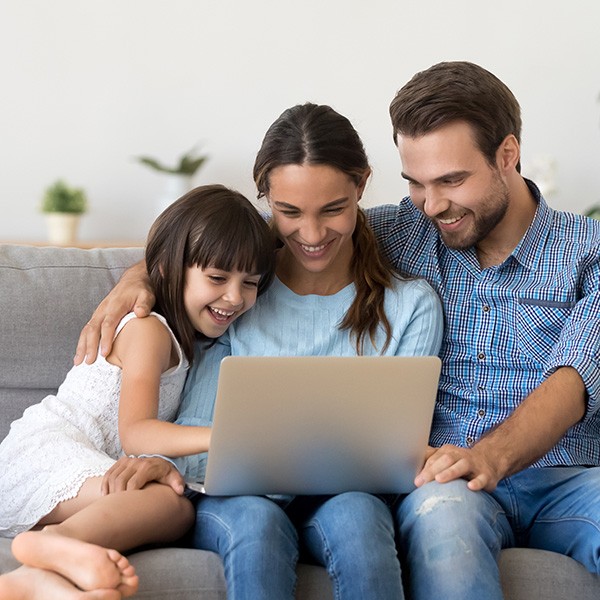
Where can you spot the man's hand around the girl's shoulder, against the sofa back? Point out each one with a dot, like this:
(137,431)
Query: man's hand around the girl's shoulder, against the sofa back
(132,292)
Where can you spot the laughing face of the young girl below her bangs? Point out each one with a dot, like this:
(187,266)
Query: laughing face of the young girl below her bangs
(214,298)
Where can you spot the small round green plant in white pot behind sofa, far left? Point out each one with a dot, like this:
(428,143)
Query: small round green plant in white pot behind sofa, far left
(63,206)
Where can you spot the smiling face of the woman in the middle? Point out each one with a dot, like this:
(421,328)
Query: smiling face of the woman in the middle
(314,210)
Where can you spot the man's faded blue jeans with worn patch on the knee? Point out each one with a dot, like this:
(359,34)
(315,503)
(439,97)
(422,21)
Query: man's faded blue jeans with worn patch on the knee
(451,537)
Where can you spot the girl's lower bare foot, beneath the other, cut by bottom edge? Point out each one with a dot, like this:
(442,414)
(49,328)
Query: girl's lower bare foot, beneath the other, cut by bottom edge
(27,583)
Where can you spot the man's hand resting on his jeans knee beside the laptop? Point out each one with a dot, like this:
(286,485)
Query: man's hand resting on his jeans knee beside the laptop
(451,462)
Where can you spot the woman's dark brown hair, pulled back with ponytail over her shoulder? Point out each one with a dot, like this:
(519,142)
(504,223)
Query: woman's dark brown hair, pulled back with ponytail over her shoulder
(318,135)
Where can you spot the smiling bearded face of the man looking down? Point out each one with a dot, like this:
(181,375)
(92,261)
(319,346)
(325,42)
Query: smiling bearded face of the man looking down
(450,180)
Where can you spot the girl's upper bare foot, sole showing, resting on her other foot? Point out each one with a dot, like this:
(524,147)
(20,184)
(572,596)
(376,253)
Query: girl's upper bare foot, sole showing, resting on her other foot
(87,566)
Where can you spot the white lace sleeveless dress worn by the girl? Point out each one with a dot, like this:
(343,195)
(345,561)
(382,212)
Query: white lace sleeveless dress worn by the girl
(65,439)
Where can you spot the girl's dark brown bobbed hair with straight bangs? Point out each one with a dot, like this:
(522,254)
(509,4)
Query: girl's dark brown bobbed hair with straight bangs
(210,226)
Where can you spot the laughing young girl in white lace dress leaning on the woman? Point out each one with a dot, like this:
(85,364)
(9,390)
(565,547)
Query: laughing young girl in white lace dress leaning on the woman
(208,257)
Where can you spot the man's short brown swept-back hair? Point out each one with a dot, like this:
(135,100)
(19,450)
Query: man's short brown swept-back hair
(458,91)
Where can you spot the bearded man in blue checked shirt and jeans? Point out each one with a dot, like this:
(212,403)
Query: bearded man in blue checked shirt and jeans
(516,431)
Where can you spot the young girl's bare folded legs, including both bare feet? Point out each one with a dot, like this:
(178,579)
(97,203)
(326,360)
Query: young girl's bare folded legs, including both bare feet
(74,544)
